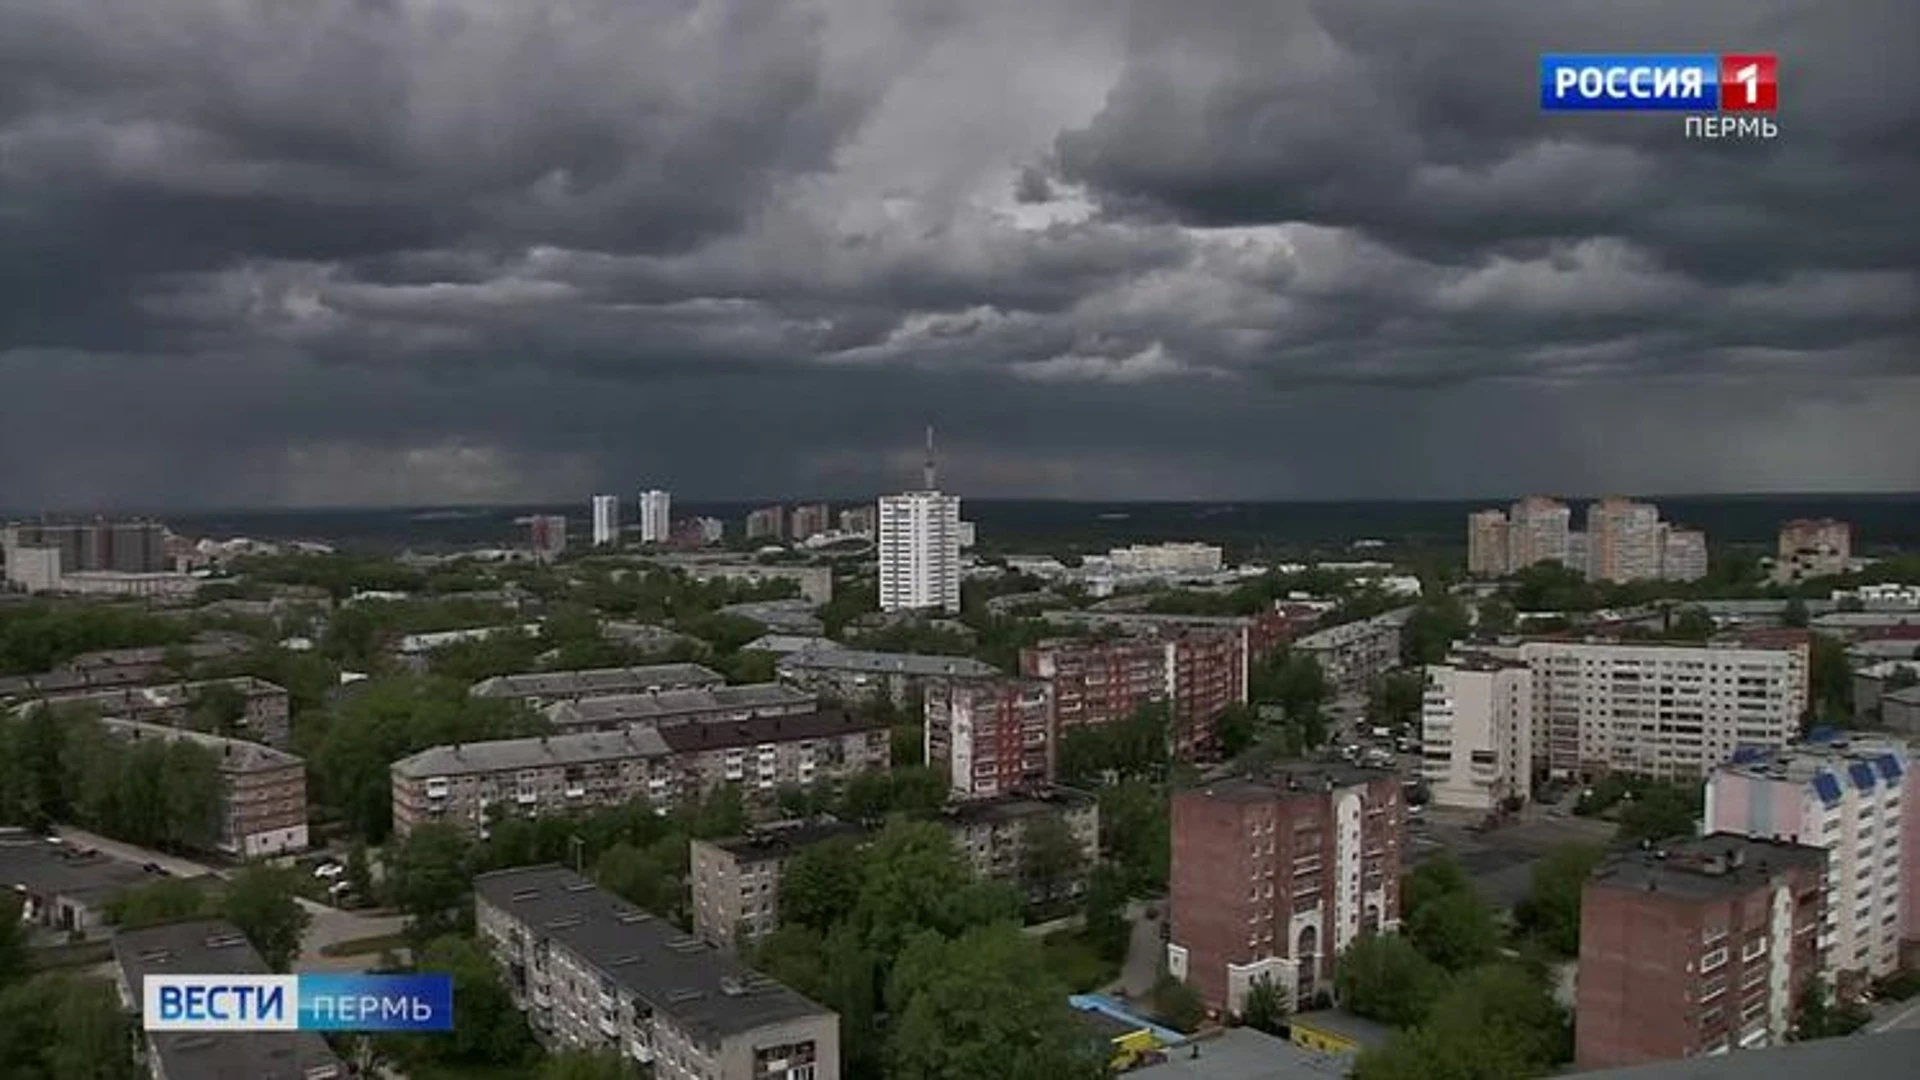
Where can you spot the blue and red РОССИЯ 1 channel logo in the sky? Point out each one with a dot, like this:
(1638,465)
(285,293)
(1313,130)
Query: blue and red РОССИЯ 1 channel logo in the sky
(1687,84)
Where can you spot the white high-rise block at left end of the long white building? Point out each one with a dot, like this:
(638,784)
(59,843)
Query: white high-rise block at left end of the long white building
(1477,733)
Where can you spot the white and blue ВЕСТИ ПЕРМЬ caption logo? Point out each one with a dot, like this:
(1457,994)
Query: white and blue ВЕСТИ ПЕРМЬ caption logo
(299,1002)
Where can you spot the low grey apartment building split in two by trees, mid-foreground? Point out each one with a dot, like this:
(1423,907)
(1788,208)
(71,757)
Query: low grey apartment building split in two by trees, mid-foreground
(736,883)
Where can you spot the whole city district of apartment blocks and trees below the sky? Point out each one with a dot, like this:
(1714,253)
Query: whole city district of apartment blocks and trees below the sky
(855,793)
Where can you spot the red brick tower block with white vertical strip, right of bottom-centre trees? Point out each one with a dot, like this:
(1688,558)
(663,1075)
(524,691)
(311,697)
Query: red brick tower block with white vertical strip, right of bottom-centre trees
(1276,873)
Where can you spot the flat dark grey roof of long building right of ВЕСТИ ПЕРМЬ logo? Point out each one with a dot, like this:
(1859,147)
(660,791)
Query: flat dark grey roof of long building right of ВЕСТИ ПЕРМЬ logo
(704,991)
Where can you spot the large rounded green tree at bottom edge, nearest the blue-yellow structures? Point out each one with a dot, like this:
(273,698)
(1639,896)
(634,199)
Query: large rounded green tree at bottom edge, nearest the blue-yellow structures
(984,1006)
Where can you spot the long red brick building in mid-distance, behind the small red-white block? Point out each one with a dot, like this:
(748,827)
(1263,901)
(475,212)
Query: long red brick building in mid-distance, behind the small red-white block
(1197,672)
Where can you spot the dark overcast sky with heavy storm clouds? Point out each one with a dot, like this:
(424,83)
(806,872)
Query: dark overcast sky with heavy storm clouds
(350,253)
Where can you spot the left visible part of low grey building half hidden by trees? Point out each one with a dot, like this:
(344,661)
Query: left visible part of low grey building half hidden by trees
(736,881)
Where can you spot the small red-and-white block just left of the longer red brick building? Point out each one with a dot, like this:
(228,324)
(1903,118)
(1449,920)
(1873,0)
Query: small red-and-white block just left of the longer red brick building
(992,735)
